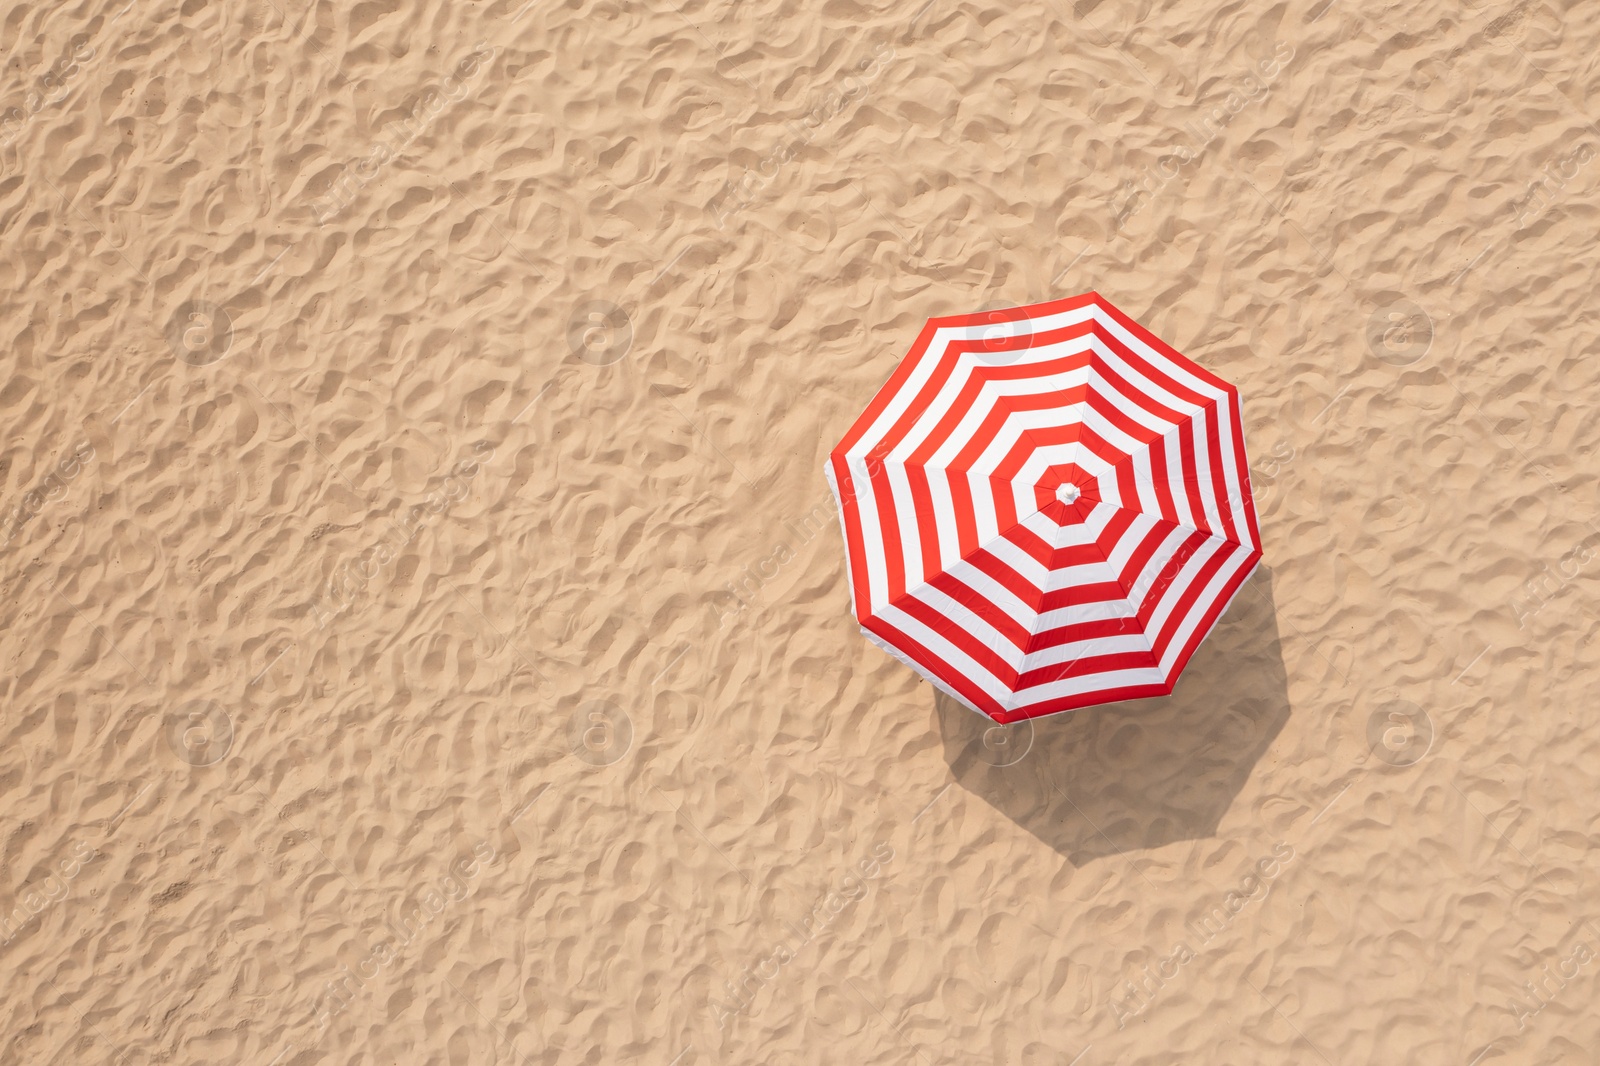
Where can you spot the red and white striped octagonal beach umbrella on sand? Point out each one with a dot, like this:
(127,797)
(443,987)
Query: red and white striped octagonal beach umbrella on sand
(1046,508)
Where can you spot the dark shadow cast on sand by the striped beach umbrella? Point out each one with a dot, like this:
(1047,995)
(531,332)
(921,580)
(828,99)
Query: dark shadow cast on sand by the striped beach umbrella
(1142,774)
